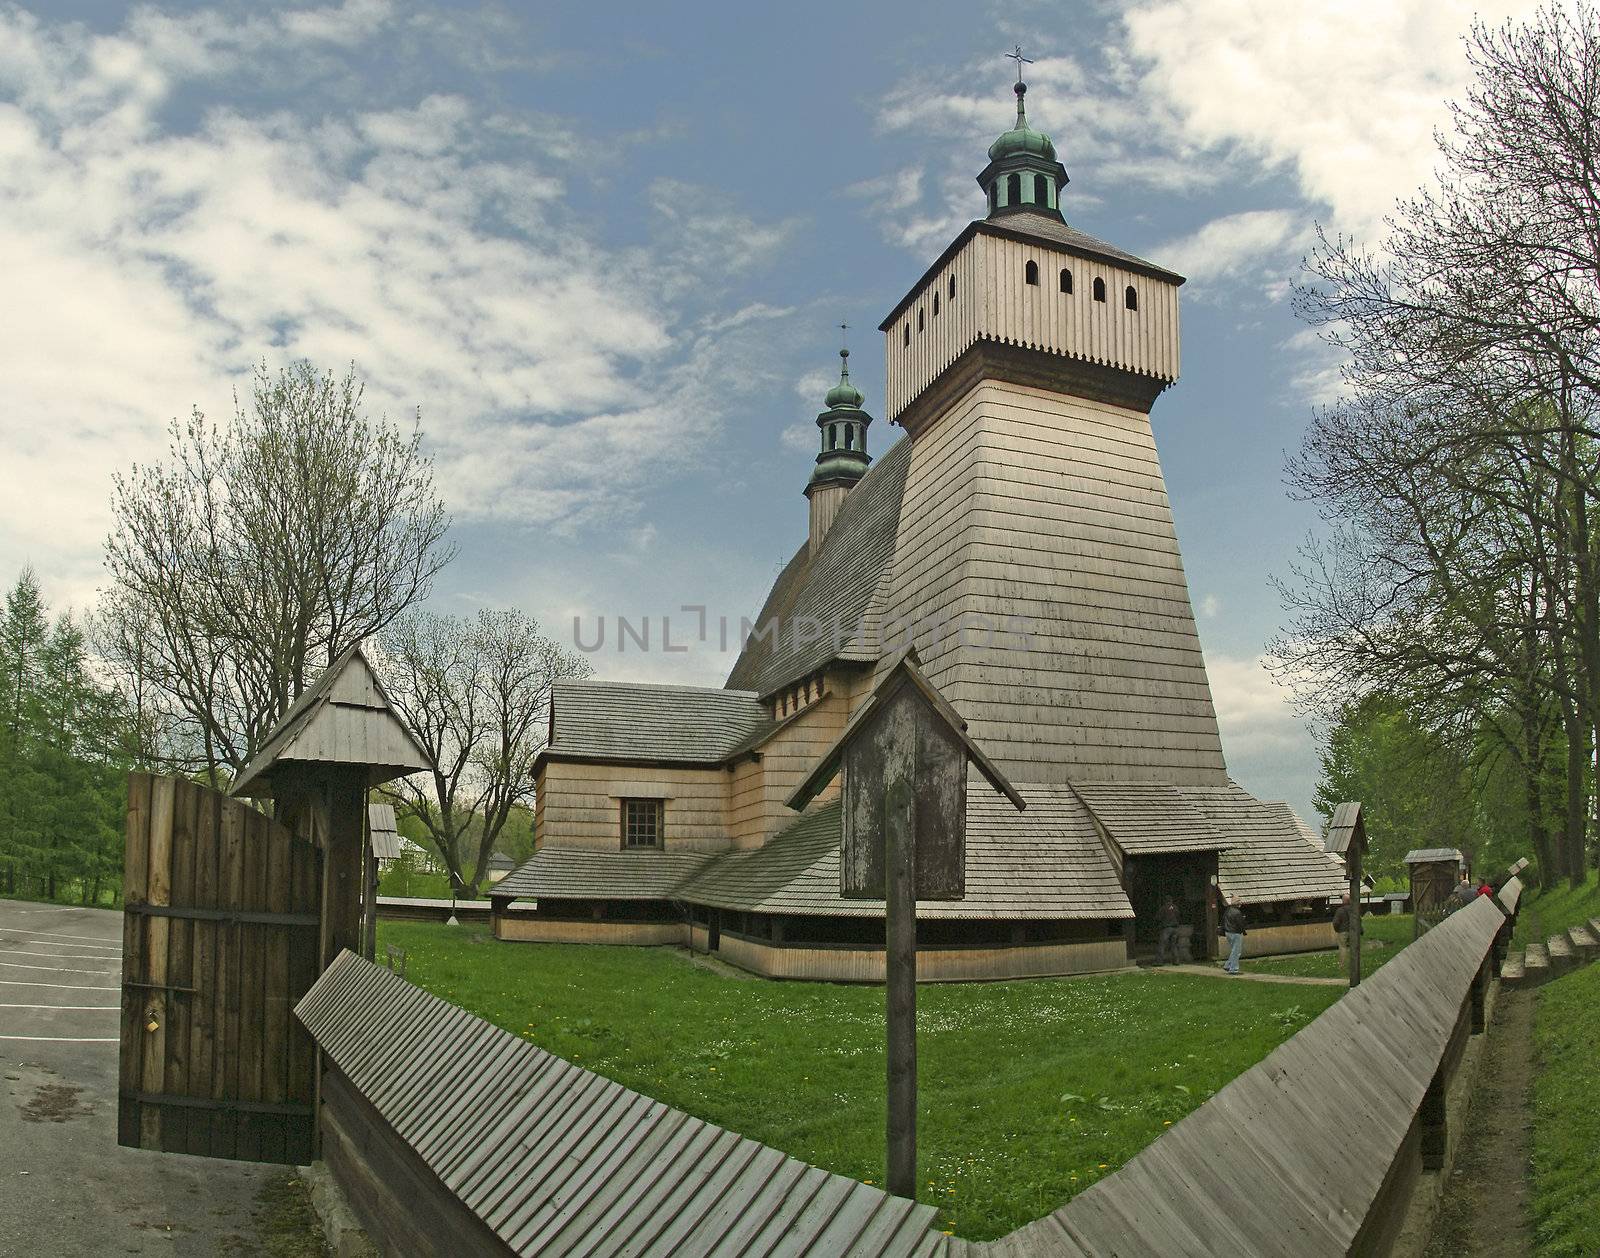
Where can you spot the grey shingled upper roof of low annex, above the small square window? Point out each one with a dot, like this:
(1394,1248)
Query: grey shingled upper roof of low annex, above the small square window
(660,724)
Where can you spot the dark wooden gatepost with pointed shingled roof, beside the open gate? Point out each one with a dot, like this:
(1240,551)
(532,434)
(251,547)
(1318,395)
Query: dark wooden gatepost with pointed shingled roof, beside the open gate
(337,742)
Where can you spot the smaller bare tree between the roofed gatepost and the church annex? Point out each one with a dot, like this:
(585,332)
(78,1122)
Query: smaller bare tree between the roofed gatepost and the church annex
(478,694)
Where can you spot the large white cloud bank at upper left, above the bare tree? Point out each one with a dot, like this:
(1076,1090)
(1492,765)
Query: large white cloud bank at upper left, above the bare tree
(148,268)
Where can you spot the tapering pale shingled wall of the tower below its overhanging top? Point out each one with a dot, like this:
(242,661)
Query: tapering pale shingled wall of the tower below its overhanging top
(1047,515)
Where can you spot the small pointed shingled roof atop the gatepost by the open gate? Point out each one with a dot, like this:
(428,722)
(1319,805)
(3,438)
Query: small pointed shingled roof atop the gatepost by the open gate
(345,718)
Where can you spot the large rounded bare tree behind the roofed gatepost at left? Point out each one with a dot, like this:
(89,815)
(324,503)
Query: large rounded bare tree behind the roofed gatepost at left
(260,551)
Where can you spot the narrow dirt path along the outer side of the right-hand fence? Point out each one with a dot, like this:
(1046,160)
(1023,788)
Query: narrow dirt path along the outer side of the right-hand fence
(1486,1209)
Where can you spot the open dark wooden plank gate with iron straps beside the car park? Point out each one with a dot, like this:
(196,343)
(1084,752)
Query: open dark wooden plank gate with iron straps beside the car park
(220,943)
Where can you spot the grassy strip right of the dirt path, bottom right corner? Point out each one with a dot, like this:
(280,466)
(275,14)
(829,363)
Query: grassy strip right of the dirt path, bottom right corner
(1567,1116)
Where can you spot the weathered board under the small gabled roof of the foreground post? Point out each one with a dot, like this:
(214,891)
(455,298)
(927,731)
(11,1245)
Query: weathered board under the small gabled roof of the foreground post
(905,742)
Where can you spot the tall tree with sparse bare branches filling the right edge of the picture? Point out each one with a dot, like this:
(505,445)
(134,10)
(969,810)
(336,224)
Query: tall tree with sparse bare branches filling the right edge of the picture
(1463,478)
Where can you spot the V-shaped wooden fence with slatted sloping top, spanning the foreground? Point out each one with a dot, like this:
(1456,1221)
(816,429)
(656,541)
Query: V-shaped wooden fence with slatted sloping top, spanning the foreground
(455,1137)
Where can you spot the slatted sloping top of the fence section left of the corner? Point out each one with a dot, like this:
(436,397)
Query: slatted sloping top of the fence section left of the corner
(558,1161)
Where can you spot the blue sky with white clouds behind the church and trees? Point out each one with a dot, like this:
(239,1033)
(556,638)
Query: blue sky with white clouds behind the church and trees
(604,250)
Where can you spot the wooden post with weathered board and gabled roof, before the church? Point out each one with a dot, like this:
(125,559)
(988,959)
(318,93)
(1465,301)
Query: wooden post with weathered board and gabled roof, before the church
(905,761)
